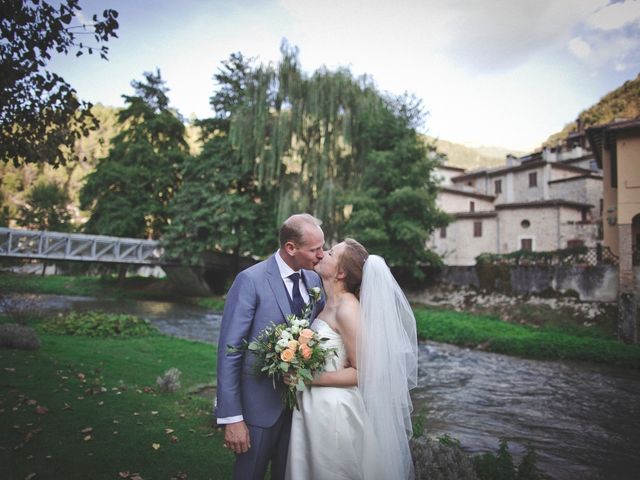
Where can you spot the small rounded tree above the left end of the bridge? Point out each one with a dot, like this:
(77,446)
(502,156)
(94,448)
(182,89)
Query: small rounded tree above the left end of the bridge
(46,209)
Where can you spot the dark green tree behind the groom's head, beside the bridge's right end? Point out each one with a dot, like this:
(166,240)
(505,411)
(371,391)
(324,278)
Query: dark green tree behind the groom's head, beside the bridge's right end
(219,209)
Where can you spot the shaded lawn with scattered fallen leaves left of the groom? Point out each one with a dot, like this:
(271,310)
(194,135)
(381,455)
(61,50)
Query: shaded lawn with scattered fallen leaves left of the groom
(108,386)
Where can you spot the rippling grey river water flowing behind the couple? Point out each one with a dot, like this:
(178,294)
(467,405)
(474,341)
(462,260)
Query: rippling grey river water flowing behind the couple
(582,419)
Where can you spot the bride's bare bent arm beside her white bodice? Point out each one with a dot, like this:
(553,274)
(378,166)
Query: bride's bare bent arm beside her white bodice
(348,325)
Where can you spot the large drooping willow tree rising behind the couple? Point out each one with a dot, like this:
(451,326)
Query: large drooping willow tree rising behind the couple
(334,146)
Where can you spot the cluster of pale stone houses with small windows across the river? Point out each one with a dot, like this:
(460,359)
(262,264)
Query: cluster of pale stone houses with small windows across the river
(544,201)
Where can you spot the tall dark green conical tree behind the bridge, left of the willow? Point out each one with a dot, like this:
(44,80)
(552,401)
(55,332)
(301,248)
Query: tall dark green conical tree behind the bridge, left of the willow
(129,192)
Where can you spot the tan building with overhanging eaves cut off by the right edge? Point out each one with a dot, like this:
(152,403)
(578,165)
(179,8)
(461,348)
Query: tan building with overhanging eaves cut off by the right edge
(617,151)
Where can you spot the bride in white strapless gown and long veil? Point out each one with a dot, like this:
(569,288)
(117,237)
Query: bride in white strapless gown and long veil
(354,419)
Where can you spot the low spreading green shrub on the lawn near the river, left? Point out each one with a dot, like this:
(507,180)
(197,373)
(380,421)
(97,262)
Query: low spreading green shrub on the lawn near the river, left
(99,324)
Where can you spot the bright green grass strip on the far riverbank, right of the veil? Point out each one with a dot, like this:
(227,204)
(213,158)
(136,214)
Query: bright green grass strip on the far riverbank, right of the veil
(546,342)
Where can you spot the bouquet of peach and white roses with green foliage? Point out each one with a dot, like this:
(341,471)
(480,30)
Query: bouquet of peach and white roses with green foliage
(291,348)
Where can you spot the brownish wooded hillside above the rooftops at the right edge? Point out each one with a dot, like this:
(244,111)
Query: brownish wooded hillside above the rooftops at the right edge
(623,102)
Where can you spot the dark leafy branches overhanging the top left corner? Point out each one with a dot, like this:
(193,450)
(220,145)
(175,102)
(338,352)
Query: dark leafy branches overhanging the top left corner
(40,114)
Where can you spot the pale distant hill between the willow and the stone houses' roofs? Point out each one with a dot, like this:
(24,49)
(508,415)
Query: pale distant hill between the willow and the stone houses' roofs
(459,155)
